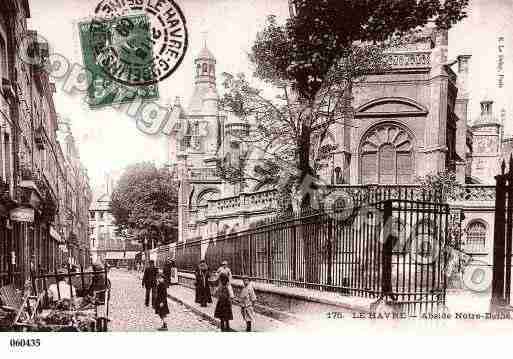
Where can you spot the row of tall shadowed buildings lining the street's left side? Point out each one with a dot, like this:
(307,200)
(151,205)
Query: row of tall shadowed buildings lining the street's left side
(38,179)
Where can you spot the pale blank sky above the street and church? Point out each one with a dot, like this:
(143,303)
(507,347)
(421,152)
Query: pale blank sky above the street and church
(109,141)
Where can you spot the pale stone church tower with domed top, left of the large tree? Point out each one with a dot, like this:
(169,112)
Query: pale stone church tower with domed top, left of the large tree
(194,144)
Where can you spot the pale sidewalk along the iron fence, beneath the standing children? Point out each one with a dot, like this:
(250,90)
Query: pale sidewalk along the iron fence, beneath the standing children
(186,295)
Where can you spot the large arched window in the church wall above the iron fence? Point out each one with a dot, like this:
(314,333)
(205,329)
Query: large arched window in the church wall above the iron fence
(386,155)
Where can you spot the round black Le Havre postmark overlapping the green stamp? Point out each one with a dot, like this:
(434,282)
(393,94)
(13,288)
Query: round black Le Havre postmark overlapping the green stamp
(128,46)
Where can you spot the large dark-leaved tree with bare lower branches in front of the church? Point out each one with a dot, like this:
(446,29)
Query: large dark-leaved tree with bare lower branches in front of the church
(315,59)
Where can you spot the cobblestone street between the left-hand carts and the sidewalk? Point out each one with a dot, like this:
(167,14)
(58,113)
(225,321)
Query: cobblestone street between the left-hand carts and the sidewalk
(128,312)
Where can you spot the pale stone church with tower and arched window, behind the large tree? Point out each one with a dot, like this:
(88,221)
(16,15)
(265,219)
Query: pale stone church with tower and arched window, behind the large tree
(408,122)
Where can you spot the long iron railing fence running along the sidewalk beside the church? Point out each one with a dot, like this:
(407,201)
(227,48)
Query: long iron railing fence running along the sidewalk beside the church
(387,245)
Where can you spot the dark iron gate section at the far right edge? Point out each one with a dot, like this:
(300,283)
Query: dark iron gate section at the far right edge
(501,280)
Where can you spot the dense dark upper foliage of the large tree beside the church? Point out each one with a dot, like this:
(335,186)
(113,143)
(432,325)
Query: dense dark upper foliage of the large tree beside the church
(304,50)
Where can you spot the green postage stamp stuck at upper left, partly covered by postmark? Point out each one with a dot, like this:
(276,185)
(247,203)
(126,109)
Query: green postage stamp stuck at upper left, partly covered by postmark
(118,54)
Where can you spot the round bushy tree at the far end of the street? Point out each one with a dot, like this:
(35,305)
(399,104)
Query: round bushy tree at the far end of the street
(144,204)
